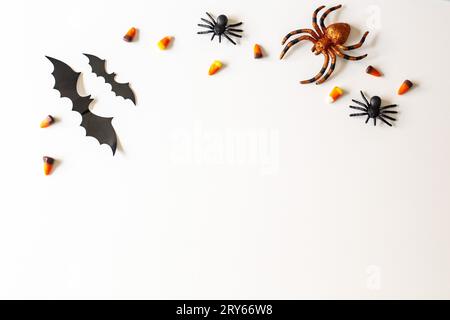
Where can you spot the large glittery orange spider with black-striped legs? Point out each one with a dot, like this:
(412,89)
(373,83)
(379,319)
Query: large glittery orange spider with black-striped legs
(328,41)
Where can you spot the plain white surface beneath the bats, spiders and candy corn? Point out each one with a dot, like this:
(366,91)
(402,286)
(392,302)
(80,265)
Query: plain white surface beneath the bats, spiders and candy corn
(308,204)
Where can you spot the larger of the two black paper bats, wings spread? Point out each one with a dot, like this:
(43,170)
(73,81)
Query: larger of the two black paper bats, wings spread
(66,83)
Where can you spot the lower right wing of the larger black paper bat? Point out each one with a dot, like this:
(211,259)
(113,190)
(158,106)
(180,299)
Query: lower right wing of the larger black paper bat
(101,129)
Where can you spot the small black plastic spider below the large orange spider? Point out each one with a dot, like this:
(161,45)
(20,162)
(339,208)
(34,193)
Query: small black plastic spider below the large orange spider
(374,110)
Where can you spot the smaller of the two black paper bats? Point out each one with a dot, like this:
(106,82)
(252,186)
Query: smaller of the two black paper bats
(99,68)
